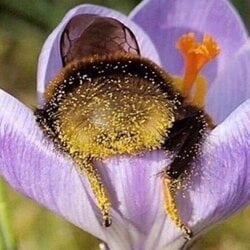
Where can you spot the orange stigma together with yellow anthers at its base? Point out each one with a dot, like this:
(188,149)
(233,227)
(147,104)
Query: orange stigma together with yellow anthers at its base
(196,56)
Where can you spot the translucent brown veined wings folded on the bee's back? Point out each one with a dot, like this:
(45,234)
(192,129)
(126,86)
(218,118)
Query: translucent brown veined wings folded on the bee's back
(89,34)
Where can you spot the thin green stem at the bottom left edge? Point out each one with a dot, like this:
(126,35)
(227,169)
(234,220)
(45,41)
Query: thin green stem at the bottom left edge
(7,241)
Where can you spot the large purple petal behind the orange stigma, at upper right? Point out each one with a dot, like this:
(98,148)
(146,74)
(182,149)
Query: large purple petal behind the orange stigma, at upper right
(165,21)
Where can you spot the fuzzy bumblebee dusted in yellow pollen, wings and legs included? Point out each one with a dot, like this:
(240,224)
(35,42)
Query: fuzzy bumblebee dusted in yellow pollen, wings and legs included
(108,100)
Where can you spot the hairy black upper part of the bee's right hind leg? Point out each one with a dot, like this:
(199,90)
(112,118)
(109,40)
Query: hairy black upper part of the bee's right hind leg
(185,140)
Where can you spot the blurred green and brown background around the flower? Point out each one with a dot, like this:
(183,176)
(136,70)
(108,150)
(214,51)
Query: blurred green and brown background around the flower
(24,25)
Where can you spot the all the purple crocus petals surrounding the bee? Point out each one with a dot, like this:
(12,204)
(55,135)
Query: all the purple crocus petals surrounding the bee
(220,185)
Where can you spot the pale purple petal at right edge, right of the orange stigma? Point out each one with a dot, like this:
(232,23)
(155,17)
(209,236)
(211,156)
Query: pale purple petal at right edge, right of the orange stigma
(231,87)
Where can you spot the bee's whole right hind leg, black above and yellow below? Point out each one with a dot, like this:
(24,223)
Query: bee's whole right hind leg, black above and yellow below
(184,140)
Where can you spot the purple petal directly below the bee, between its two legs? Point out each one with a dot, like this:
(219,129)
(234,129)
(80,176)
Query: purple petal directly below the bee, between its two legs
(137,197)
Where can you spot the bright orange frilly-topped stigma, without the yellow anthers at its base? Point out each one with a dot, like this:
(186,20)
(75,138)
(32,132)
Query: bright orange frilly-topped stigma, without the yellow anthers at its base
(195,55)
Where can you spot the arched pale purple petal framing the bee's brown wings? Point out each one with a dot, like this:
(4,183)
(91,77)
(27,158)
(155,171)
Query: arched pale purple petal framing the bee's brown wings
(50,59)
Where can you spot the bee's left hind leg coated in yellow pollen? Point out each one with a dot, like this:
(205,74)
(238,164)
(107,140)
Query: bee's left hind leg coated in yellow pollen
(86,167)
